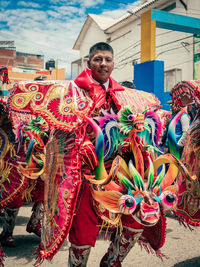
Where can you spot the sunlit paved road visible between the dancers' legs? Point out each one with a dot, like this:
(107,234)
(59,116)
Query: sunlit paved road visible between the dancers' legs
(182,246)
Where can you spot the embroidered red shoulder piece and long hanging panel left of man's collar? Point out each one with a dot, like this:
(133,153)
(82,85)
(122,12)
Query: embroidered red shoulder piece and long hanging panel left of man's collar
(63,107)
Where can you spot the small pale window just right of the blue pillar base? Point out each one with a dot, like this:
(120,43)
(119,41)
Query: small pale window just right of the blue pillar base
(172,77)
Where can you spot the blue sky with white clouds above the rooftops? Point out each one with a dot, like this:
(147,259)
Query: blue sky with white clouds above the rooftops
(50,28)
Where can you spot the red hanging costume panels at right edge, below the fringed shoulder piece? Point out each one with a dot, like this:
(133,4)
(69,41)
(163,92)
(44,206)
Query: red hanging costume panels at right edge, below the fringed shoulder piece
(189,191)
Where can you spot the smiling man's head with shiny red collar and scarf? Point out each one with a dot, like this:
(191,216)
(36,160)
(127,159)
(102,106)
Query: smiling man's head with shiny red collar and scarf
(96,80)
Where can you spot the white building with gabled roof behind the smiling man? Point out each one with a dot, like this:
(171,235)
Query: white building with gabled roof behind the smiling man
(180,51)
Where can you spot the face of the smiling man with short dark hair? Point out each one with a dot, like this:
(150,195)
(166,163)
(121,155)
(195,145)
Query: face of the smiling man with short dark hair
(101,65)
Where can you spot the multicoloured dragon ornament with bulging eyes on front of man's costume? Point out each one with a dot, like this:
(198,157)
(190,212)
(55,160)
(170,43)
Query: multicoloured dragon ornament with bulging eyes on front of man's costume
(138,188)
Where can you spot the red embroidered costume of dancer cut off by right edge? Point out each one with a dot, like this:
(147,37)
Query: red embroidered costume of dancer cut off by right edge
(188,94)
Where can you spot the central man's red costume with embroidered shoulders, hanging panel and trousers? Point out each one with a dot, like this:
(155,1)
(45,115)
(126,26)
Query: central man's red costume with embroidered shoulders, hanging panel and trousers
(69,153)
